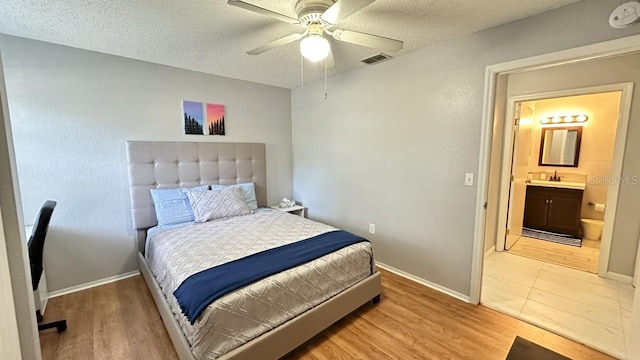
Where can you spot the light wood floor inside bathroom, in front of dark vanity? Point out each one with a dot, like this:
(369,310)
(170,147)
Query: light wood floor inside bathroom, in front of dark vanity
(583,258)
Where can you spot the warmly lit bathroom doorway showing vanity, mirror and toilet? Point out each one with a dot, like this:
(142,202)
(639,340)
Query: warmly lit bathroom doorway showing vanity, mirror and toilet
(560,184)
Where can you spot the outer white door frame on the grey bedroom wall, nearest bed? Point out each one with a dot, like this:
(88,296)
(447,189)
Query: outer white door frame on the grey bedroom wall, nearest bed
(608,48)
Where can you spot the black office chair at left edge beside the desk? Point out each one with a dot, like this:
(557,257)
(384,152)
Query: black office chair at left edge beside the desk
(36,248)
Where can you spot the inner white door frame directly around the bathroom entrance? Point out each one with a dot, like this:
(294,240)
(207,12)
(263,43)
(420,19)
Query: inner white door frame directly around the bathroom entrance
(616,161)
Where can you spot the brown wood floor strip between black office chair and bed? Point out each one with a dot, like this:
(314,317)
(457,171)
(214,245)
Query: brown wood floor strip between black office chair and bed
(114,321)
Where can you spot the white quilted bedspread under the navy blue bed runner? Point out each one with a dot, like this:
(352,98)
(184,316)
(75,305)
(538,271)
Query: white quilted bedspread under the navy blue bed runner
(238,317)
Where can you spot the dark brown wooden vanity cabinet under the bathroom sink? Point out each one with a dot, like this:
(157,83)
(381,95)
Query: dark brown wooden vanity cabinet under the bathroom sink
(553,209)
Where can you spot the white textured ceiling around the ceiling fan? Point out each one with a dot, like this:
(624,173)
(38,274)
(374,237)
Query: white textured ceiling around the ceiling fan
(212,37)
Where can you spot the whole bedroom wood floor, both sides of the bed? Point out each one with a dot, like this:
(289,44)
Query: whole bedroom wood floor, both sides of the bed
(120,321)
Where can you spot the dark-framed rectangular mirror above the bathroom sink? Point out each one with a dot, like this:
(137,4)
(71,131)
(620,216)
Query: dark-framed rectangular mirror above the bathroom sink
(560,146)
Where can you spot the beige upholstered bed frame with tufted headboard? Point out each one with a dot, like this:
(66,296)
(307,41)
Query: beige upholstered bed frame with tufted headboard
(186,164)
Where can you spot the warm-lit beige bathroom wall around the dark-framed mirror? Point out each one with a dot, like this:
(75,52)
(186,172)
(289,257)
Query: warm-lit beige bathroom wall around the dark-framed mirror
(596,150)
